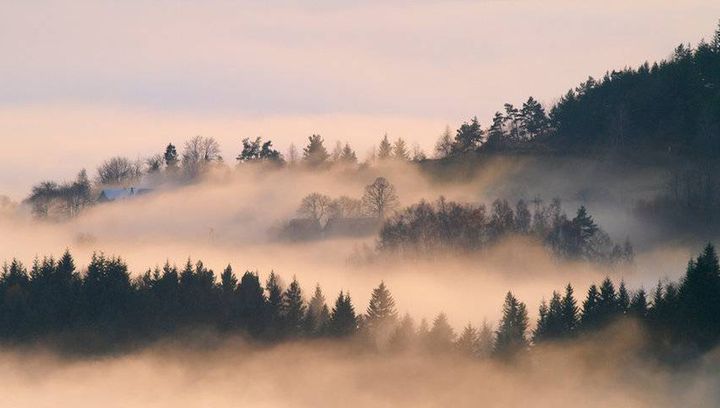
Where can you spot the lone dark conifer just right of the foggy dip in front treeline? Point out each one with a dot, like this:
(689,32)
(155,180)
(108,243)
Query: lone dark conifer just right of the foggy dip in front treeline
(510,336)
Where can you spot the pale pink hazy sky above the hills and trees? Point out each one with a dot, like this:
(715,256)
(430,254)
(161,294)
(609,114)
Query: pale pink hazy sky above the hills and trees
(83,80)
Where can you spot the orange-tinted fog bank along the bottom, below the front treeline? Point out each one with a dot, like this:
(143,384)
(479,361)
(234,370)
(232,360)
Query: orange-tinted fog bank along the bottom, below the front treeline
(598,373)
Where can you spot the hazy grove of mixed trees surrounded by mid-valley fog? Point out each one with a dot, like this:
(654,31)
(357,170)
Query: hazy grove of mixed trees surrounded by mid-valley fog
(427,228)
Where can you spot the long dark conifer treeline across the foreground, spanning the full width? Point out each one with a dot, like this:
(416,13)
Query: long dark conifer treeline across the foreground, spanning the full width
(103,309)
